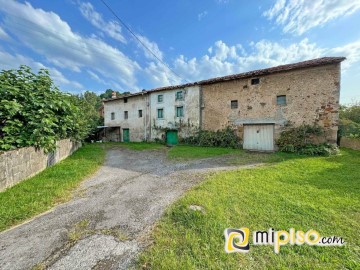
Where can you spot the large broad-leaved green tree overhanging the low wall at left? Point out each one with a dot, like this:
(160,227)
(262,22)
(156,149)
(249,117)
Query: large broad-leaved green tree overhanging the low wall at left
(33,112)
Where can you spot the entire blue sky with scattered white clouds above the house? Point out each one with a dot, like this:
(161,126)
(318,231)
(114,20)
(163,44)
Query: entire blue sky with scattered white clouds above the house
(85,47)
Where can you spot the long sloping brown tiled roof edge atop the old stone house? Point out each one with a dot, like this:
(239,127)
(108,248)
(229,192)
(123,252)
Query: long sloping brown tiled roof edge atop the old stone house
(254,73)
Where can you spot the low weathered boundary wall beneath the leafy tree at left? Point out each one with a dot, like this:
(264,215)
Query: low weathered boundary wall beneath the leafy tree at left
(20,164)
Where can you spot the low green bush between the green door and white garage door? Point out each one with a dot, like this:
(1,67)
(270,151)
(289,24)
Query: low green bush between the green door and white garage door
(221,138)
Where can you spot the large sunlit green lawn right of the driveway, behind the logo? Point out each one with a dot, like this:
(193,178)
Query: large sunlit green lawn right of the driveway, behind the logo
(321,193)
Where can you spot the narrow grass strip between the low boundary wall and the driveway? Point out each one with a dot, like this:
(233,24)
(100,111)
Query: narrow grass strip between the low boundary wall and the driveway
(50,187)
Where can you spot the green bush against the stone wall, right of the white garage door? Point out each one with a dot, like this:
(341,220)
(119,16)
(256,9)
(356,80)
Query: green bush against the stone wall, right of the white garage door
(300,140)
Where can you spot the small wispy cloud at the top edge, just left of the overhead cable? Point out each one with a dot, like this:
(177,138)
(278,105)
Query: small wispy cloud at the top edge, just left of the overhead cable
(111,28)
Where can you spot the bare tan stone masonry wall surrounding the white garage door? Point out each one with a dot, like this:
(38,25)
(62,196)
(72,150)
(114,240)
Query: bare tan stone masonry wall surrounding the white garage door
(312,97)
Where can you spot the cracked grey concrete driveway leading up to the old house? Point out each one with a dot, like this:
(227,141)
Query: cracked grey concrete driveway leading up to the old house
(107,222)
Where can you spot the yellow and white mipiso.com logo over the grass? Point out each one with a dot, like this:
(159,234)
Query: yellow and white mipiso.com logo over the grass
(237,240)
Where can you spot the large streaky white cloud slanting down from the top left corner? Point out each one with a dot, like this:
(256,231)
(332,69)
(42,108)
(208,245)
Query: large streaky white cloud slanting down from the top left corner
(47,34)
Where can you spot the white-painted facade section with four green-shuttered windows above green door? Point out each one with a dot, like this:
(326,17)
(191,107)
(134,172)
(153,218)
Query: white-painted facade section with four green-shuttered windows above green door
(190,120)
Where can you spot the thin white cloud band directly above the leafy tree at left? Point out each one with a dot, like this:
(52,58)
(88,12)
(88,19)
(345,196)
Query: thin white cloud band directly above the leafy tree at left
(10,61)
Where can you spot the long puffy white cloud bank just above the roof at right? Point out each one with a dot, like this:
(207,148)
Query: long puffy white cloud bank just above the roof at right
(222,59)
